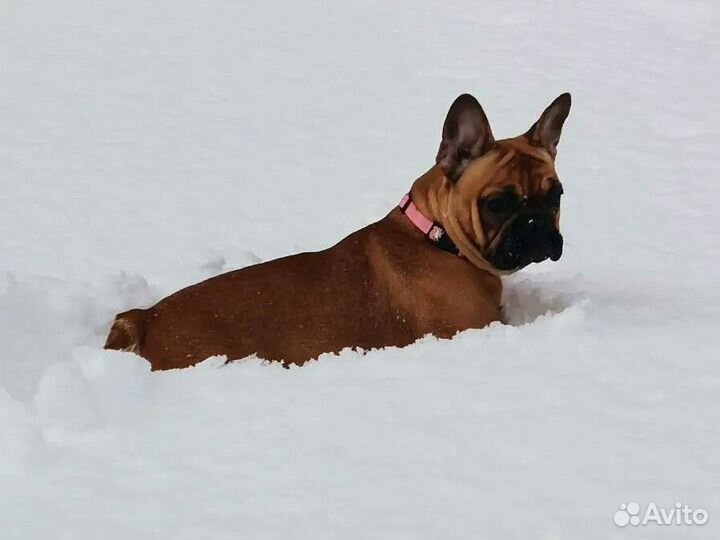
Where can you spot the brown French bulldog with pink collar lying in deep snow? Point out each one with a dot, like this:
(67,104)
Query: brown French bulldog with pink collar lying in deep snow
(431,266)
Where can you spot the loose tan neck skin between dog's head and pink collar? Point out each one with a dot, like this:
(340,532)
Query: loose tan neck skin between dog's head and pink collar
(431,194)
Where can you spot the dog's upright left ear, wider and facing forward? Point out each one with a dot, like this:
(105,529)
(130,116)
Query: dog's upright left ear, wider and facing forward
(466,136)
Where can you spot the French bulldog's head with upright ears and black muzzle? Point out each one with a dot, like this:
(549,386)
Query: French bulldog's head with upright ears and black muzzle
(502,198)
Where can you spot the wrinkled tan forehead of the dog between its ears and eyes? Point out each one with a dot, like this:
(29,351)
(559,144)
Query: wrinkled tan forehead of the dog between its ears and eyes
(513,162)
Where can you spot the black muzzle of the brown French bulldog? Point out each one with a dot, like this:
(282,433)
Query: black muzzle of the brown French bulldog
(532,238)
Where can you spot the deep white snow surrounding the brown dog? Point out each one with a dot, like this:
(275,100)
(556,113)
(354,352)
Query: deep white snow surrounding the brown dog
(146,146)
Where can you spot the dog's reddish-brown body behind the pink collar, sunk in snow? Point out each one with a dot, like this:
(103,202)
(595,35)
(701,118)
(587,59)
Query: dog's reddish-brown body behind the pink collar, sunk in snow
(377,287)
